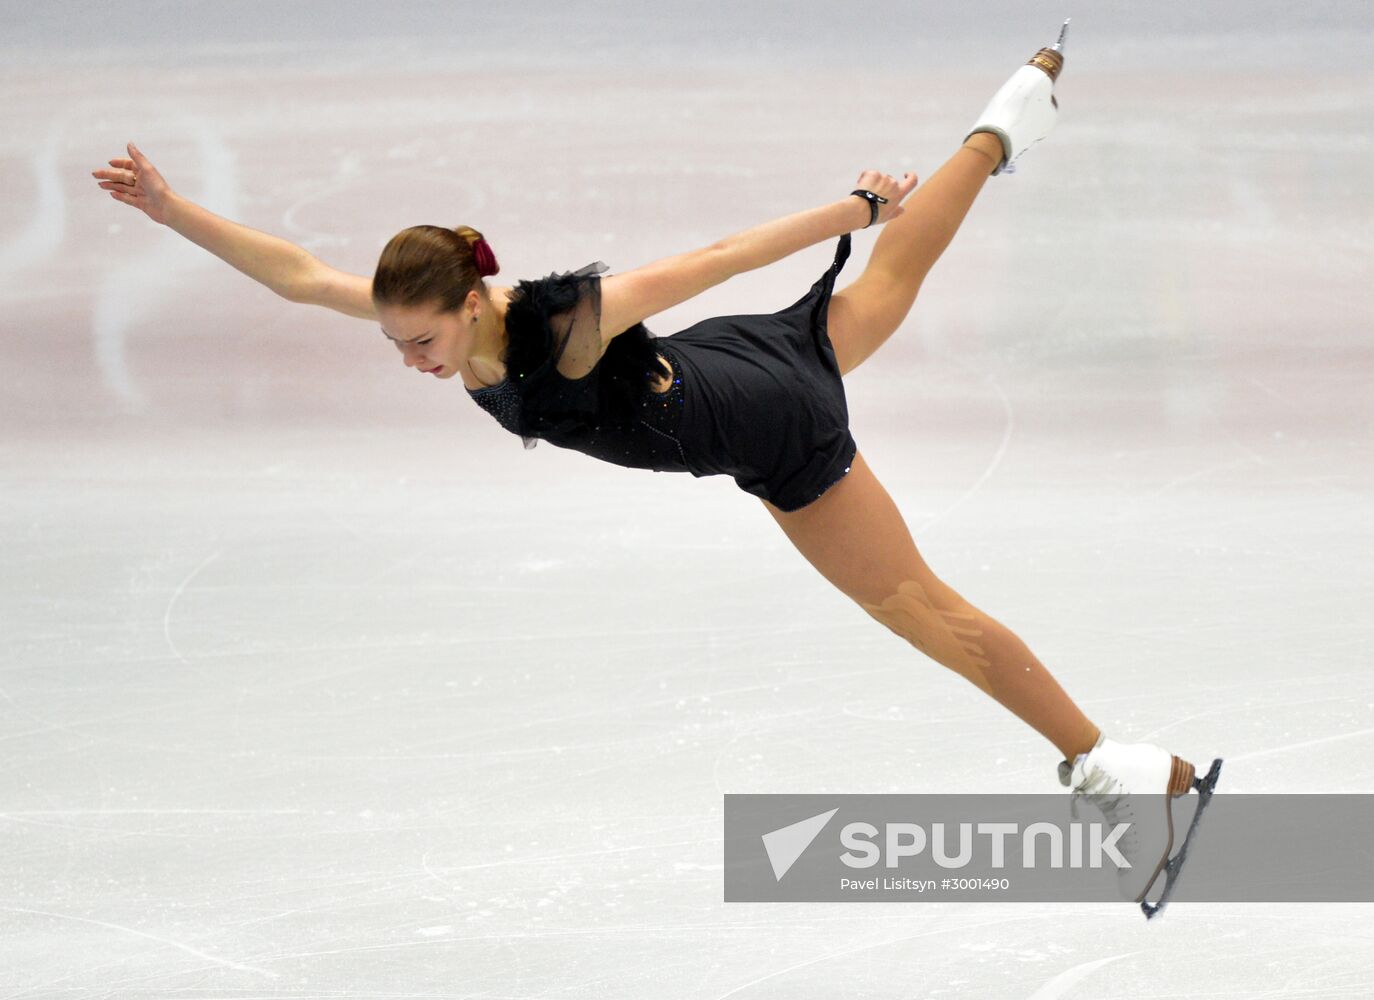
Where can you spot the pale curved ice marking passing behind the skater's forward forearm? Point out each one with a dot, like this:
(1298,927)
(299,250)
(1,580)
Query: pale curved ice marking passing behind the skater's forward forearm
(130,292)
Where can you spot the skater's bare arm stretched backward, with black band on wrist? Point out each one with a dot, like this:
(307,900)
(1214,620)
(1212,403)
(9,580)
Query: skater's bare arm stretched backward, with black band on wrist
(635,296)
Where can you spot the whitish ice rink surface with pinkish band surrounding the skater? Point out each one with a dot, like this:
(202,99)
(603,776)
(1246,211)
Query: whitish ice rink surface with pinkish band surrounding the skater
(315,685)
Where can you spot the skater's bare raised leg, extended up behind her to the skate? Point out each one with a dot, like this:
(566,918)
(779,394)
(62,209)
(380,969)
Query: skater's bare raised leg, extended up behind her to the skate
(868,312)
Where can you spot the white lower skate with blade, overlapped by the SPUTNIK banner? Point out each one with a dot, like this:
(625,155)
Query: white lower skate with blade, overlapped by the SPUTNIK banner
(1138,784)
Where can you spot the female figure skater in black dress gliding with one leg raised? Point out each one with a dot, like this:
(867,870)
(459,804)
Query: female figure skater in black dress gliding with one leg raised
(567,359)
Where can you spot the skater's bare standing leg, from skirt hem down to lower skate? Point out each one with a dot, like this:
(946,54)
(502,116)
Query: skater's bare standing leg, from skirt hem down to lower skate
(857,538)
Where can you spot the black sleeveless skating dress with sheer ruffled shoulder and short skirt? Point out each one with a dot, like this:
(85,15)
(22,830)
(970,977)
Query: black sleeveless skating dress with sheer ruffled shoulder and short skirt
(755,398)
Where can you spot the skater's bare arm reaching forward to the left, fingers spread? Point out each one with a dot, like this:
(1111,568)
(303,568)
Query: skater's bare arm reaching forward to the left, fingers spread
(288,270)
